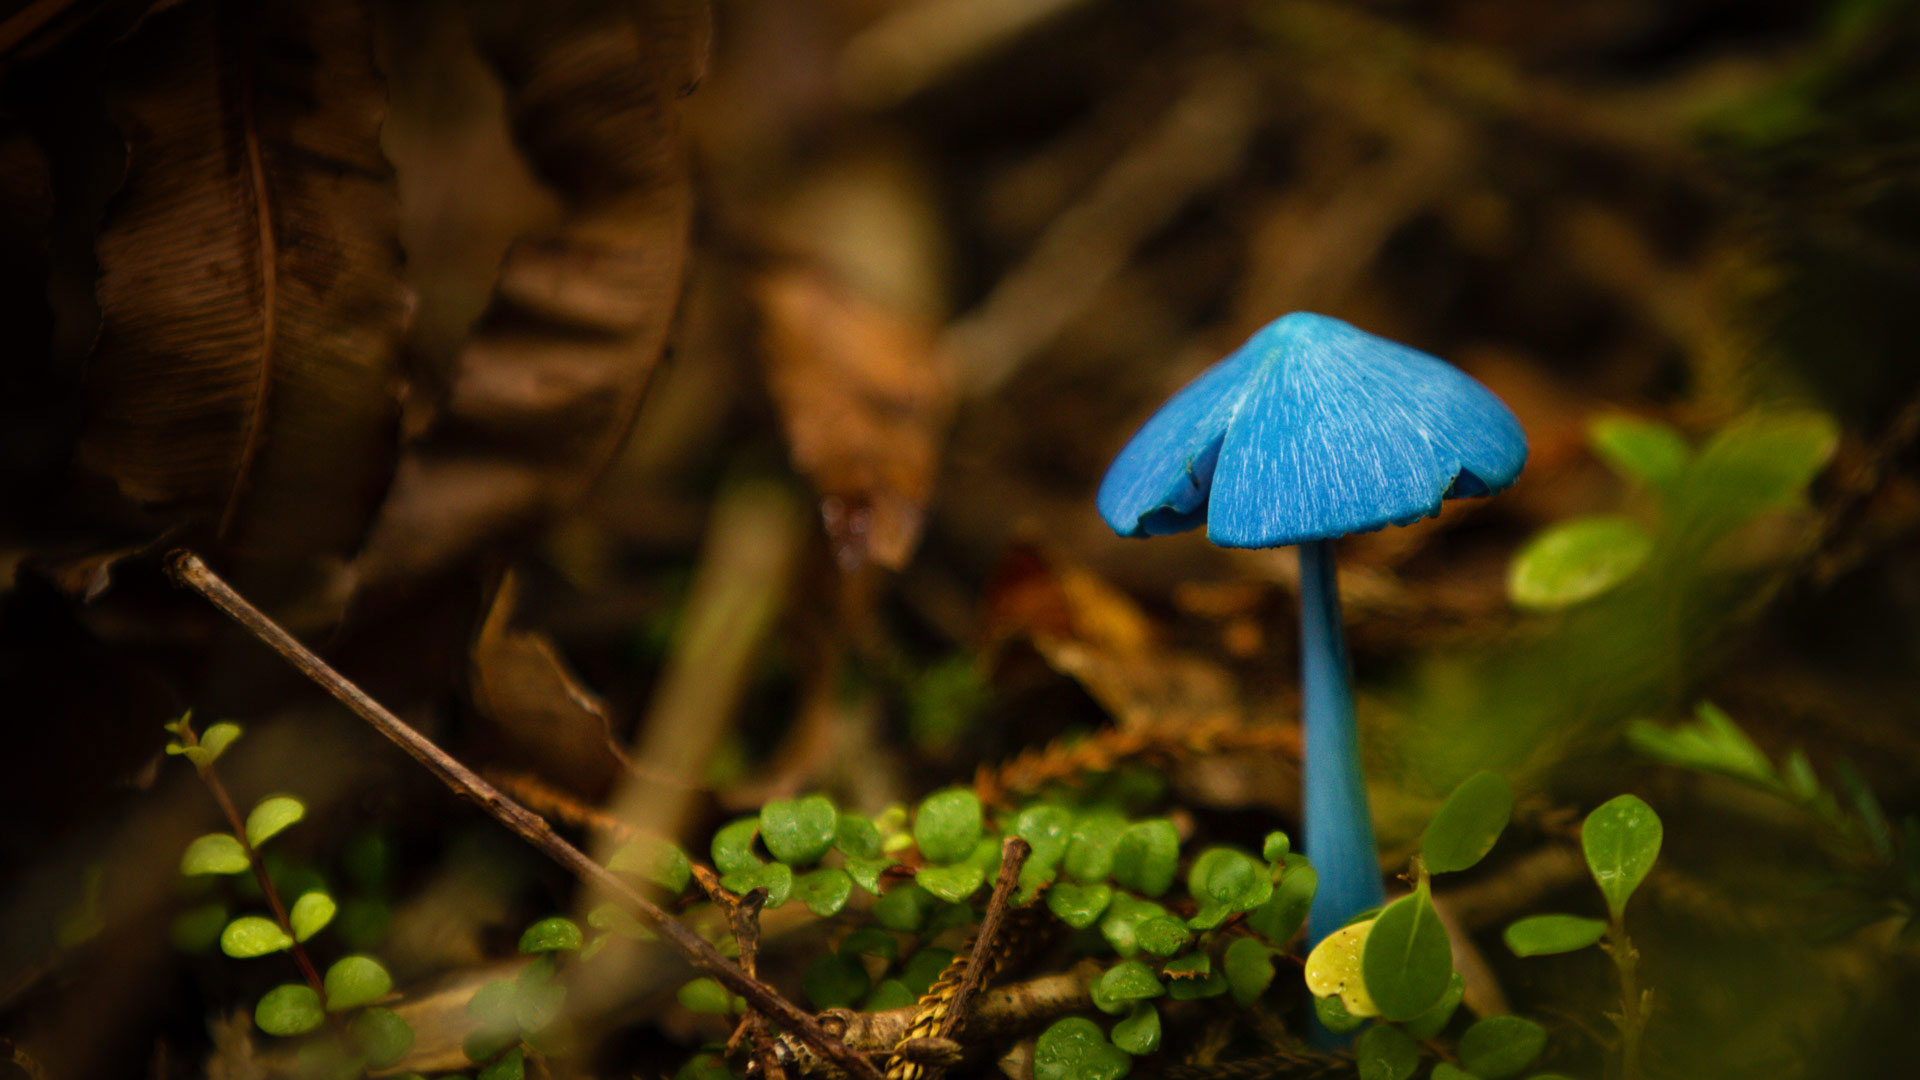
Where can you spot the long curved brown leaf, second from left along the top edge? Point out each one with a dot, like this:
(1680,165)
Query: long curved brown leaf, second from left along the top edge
(548,385)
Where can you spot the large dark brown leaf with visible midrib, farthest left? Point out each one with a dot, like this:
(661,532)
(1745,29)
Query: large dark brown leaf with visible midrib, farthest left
(251,285)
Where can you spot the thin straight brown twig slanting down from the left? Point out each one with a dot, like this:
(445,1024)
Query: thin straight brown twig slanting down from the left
(527,825)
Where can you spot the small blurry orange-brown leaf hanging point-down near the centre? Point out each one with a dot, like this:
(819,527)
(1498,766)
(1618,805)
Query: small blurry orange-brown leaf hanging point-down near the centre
(865,401)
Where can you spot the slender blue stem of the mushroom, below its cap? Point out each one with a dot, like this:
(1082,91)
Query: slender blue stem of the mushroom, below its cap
(1339,827)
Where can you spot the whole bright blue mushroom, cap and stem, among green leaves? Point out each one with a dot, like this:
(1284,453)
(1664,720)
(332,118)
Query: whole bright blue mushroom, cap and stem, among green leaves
(1307,433)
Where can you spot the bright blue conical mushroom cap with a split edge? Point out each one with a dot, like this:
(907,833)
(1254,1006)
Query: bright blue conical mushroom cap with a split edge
(1310,431)
